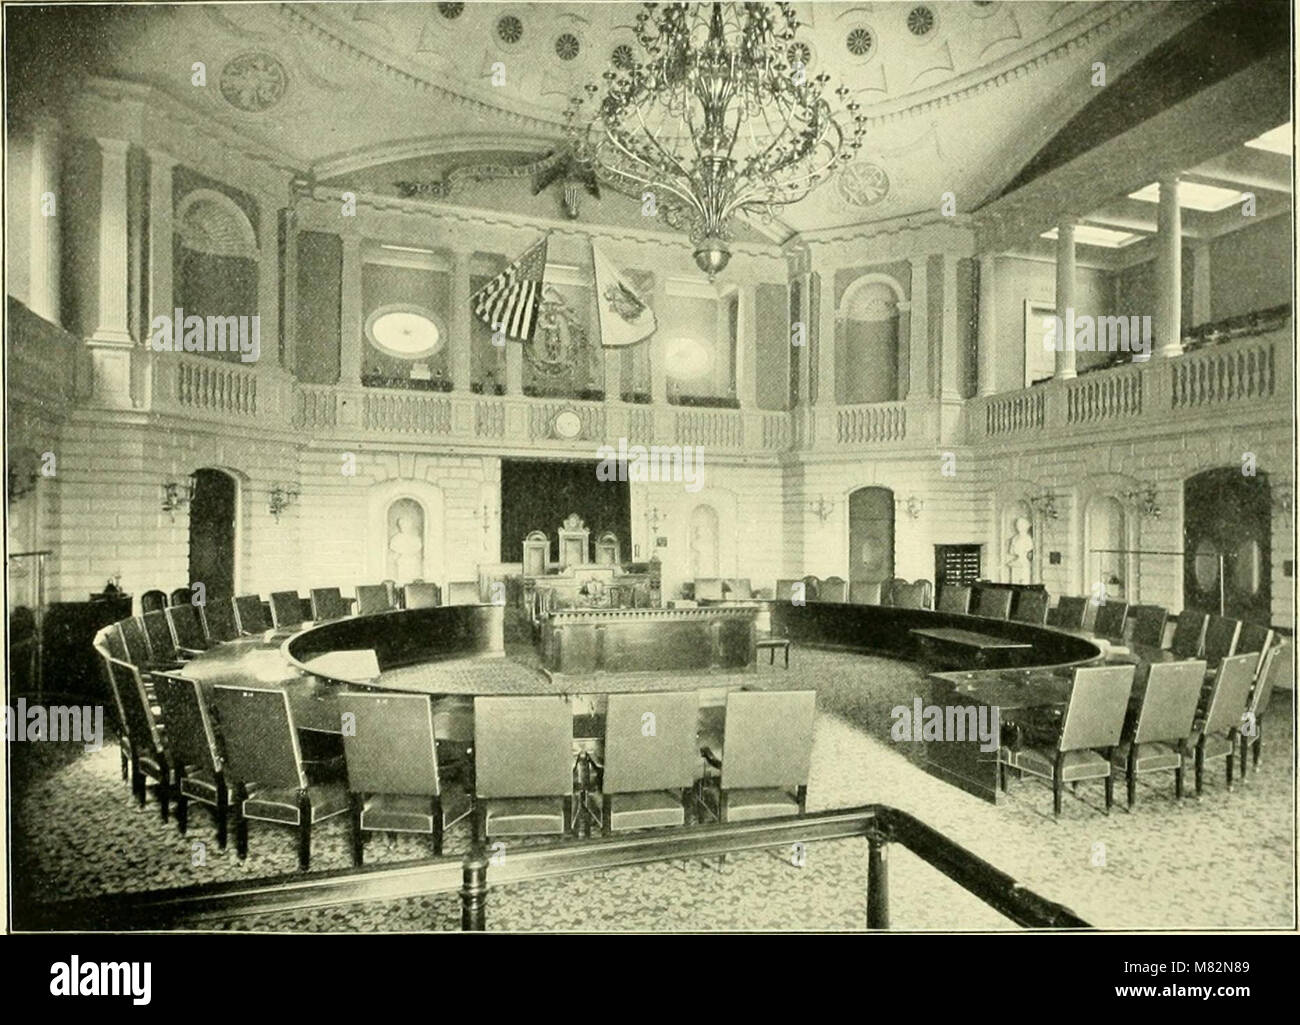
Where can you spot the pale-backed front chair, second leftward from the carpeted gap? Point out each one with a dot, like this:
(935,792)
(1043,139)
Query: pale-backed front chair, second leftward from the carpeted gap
(649,773)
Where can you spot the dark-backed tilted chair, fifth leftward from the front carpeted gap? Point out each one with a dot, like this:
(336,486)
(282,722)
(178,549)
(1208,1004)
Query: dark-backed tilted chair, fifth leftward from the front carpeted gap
(265,762)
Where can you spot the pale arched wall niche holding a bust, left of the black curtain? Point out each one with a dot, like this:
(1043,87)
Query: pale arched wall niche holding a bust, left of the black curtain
(405,537)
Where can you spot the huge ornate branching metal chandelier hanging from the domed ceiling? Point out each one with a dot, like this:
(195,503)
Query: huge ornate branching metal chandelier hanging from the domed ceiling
(717,116)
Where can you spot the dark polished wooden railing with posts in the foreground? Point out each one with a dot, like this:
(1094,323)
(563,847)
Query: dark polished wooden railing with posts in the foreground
(473,876)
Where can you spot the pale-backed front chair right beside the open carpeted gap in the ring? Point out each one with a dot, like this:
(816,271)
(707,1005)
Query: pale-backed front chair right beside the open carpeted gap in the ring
(762,769)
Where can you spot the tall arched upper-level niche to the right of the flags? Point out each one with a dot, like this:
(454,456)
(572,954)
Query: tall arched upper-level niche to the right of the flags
(869,341)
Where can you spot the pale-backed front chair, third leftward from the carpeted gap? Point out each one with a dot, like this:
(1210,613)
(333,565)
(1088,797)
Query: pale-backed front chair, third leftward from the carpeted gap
(523,765)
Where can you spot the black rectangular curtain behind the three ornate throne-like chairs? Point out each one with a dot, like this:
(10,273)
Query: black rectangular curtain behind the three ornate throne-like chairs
(538,495)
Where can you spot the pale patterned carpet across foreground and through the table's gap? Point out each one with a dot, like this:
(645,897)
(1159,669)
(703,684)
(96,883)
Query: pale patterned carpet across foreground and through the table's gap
(1221,863)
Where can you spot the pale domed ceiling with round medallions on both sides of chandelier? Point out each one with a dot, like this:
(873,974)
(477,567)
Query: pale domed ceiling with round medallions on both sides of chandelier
(961,96)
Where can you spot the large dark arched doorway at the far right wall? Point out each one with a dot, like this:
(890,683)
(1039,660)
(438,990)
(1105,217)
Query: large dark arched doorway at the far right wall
(1227,544)
